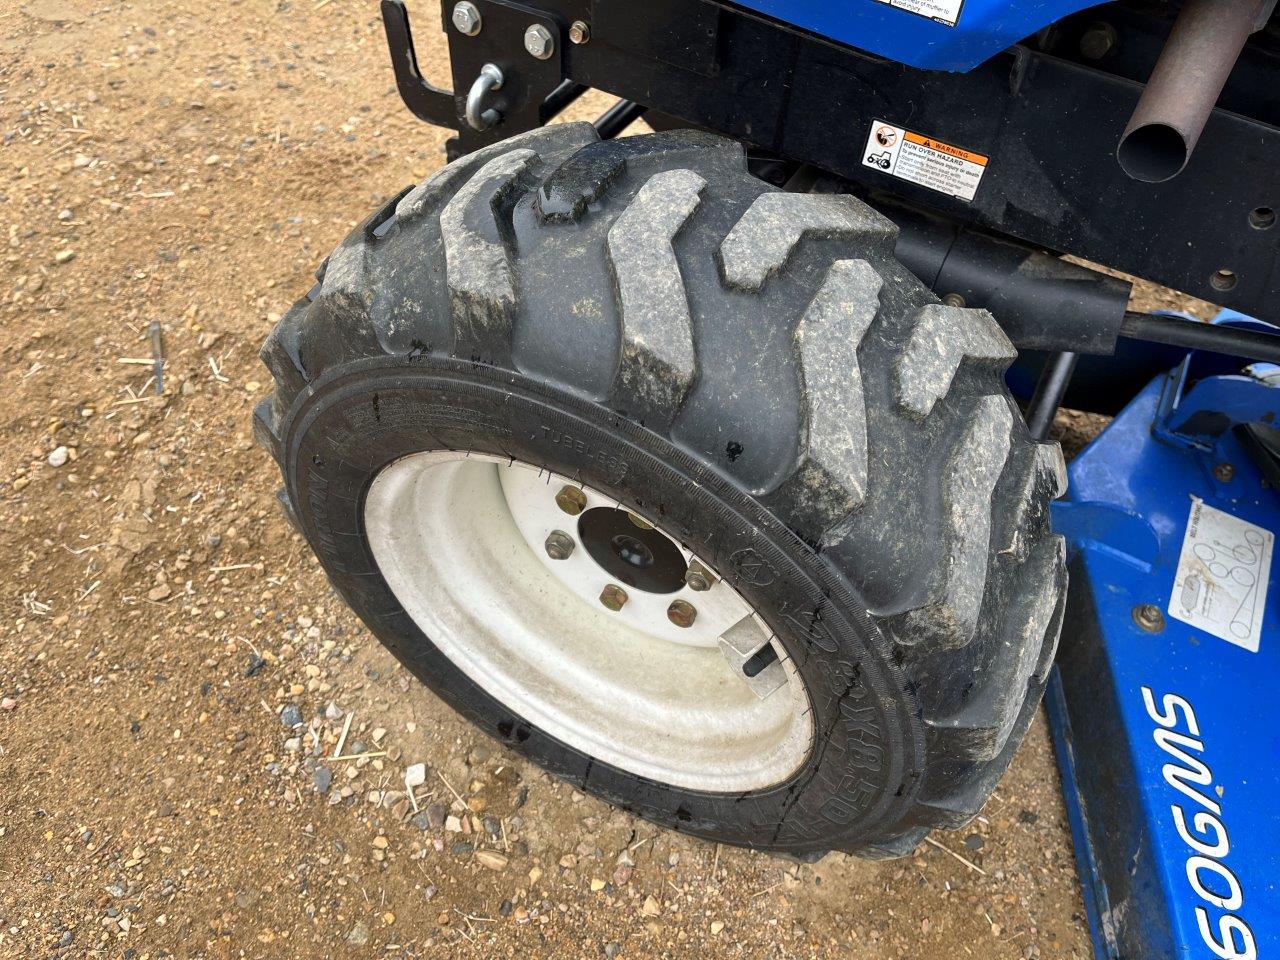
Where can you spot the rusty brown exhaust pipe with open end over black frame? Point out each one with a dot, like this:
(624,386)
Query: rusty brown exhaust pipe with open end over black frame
(1199,57)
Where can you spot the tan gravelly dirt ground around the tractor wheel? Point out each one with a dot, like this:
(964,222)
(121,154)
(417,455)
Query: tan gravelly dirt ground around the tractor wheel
(173,664)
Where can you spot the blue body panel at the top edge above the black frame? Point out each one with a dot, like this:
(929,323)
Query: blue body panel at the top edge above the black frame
(982,29)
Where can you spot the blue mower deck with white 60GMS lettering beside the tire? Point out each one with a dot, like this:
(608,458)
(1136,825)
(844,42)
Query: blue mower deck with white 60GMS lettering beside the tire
(1153,892)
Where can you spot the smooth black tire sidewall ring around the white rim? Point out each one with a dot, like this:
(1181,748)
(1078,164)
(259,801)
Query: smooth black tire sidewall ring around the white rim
(861,775)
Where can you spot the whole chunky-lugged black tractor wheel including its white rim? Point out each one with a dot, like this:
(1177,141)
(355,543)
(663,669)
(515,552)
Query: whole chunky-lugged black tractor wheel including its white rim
(816,458)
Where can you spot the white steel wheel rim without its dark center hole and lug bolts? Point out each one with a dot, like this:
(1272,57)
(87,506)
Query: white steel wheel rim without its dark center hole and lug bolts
(460,541)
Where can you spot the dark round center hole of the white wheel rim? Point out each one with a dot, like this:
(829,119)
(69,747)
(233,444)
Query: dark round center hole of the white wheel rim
(639,557)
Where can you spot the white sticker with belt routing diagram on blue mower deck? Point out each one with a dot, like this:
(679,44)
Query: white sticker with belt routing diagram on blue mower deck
(1223,574)
